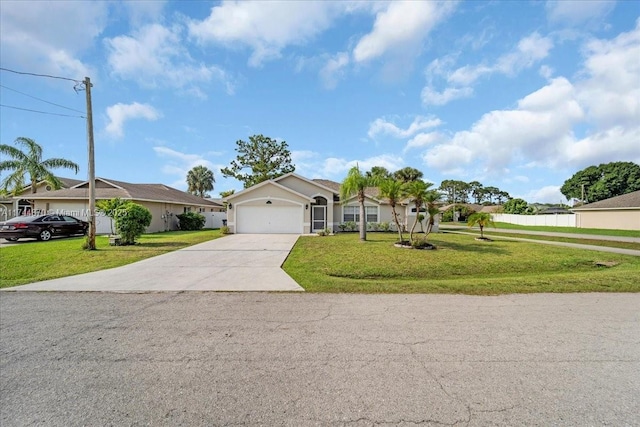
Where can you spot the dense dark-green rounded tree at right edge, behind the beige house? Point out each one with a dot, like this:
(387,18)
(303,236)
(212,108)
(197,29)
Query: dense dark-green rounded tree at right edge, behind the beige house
(602,182)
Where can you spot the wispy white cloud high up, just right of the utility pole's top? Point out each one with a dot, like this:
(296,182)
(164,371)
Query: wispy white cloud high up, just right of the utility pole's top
(156,56)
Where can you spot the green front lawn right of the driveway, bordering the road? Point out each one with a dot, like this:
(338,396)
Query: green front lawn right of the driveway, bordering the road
(460,265)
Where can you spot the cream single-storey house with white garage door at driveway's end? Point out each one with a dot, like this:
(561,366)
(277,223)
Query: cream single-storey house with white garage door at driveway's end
(292,204)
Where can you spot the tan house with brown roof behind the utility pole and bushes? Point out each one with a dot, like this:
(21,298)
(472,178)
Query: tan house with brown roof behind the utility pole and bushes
(164,202)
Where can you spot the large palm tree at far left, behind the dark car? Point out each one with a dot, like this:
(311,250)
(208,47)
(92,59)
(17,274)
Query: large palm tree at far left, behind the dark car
(29,164)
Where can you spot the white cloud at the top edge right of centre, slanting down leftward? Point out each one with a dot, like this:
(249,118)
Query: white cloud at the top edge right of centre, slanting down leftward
(402,26)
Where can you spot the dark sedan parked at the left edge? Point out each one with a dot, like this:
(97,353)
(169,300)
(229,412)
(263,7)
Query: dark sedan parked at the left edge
(42,227)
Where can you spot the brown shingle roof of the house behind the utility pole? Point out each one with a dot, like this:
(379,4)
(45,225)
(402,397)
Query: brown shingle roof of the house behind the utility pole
(110,189)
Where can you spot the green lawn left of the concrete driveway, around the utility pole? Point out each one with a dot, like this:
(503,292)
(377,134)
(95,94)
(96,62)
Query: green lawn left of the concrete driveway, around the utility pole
(35,261)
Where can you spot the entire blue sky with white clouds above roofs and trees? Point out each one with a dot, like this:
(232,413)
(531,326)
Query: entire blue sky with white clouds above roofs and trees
(515,94)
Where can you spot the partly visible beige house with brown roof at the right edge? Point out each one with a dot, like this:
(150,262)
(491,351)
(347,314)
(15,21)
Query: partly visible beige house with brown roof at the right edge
(619,213)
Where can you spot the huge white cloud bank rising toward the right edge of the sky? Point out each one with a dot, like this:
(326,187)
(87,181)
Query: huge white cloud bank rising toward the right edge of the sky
(603,104)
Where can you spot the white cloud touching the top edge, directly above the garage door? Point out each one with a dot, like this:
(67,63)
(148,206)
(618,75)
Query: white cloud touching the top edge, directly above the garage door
(265,27)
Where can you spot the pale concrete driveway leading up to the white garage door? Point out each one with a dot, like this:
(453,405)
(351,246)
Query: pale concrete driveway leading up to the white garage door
(239,262)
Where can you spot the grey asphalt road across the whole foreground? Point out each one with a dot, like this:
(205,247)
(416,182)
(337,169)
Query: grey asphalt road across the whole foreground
(72,359)
